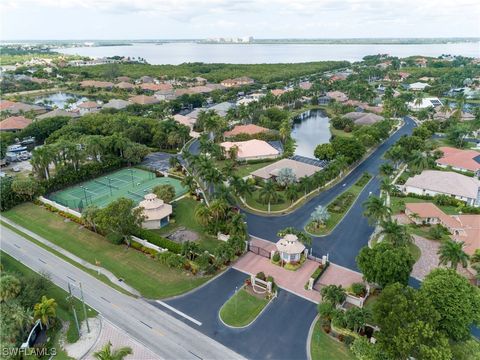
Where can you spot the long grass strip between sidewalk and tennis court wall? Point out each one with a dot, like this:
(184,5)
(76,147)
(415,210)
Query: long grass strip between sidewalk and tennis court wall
(148,276)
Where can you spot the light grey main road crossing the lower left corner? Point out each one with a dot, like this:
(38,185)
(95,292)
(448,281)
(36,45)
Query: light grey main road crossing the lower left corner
(160,332)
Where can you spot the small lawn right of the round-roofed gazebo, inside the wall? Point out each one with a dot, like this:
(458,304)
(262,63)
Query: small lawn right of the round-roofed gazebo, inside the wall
(184,216)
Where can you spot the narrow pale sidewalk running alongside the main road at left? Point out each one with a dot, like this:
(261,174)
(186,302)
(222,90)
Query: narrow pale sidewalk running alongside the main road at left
(73,257)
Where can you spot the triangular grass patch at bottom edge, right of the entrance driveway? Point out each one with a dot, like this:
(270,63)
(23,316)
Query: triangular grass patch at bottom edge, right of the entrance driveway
(324,347)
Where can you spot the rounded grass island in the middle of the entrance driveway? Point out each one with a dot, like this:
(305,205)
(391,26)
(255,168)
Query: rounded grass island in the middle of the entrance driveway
(242,308)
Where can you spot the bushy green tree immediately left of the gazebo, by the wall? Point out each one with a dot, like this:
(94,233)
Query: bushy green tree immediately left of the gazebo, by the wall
(120,217)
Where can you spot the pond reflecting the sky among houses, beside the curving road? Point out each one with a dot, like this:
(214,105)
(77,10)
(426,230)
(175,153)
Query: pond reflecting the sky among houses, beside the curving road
(310,129)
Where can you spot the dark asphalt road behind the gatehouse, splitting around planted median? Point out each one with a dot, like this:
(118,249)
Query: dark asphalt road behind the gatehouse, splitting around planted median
(353,232)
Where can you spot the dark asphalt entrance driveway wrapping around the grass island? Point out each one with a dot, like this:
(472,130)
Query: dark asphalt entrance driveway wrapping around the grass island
(285,321)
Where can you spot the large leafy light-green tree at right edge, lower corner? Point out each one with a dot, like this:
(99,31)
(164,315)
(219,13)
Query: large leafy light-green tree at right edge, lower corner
(455,299)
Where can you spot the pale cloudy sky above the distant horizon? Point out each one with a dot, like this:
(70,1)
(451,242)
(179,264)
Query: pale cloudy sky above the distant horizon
(187,19)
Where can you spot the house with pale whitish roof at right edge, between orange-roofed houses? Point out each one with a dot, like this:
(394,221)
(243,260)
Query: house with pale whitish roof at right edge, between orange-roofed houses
(434,182)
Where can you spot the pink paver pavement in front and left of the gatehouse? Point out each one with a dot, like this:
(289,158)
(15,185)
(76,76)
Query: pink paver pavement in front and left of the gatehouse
(293,281)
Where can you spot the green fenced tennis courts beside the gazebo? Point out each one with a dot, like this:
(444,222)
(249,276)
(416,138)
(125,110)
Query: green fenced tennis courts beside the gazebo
(128,183)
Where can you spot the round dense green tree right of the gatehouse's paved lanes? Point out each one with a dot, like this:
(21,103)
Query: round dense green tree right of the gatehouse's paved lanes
(385,264)
